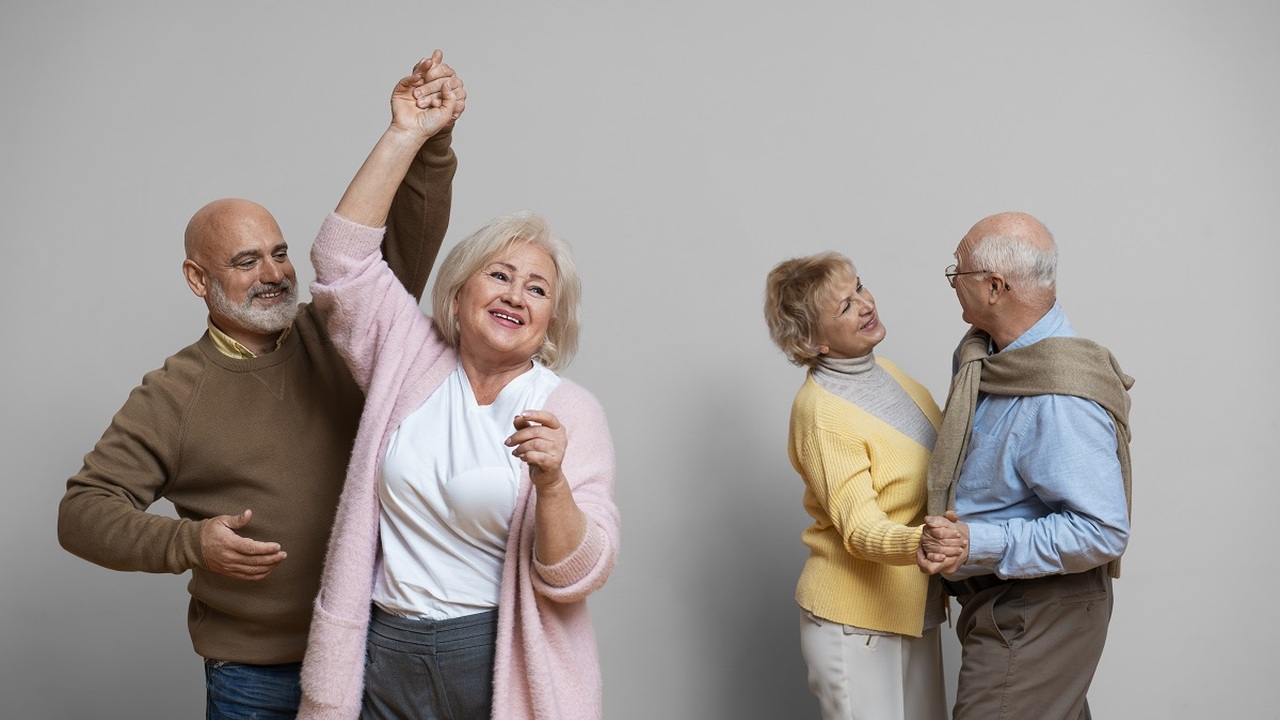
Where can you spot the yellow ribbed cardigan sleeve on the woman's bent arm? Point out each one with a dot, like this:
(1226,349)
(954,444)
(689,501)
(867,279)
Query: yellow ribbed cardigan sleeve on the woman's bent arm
(838,470)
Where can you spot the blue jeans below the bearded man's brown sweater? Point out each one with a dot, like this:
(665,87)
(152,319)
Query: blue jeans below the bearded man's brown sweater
(252,692)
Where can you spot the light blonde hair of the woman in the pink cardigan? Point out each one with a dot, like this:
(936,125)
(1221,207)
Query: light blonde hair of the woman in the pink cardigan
(481,248)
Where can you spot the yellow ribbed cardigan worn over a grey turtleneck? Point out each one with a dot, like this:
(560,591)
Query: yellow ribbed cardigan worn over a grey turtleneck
(866,490)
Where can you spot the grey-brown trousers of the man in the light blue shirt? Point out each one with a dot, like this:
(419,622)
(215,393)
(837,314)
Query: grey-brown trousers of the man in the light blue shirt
(1030,648)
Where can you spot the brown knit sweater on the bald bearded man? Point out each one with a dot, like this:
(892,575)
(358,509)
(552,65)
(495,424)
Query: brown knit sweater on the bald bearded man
(216,436)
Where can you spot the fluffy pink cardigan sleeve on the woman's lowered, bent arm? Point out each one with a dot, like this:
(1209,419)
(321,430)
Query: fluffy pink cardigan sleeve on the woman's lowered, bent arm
(589,466)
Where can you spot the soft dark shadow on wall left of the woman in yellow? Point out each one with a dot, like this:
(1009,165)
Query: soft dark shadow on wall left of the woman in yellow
(747,595)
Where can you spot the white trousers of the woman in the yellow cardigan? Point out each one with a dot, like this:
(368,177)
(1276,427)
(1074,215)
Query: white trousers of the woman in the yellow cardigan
(866,677)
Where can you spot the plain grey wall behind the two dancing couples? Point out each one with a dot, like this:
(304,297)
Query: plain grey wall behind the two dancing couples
(683,149)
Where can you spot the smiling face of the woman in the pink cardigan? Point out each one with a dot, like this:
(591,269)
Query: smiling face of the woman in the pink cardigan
(505,309)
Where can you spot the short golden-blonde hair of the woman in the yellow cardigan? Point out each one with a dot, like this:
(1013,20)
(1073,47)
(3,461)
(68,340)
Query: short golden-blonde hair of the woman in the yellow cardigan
(793,293)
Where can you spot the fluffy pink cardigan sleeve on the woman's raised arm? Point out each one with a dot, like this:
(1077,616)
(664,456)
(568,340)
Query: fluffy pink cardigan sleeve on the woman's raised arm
(371,316)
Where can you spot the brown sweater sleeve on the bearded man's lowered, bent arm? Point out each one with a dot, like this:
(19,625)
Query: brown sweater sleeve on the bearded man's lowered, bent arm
(103,516)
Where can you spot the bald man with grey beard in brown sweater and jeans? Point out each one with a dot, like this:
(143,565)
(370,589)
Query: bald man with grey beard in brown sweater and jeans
(248,432)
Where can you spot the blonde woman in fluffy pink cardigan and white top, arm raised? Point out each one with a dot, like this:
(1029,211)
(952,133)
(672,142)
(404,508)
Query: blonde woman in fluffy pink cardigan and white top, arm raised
(478,513)
